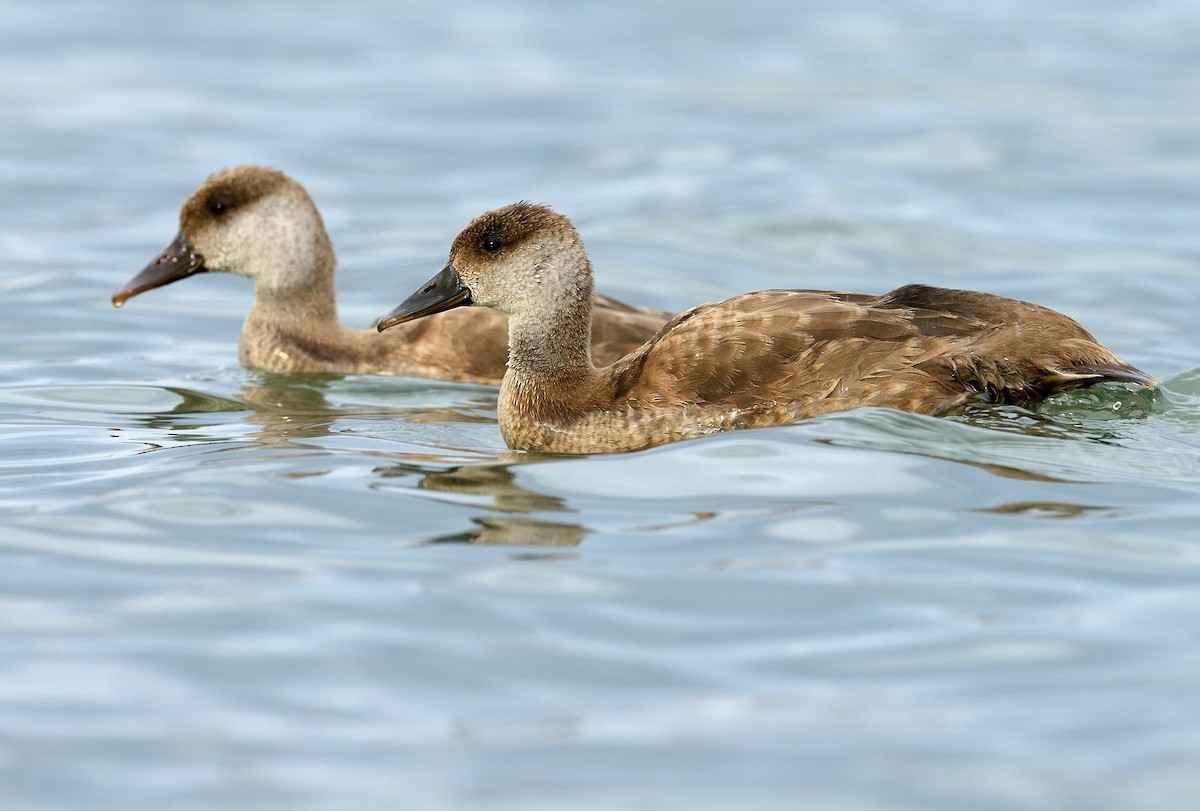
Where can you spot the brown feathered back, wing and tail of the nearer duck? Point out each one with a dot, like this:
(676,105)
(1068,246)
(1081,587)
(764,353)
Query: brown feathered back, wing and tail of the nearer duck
(917,349)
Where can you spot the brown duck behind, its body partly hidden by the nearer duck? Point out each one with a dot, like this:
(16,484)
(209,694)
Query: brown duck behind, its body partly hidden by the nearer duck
(259,223)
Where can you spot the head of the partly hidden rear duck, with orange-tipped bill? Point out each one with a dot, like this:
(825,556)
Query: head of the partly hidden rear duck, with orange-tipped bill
(251,221)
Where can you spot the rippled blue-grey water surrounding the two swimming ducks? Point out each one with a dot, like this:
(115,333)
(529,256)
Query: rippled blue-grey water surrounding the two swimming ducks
(225,590)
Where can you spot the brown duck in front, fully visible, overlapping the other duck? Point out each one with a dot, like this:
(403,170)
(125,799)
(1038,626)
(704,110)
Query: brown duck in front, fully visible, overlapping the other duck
(759,359)
